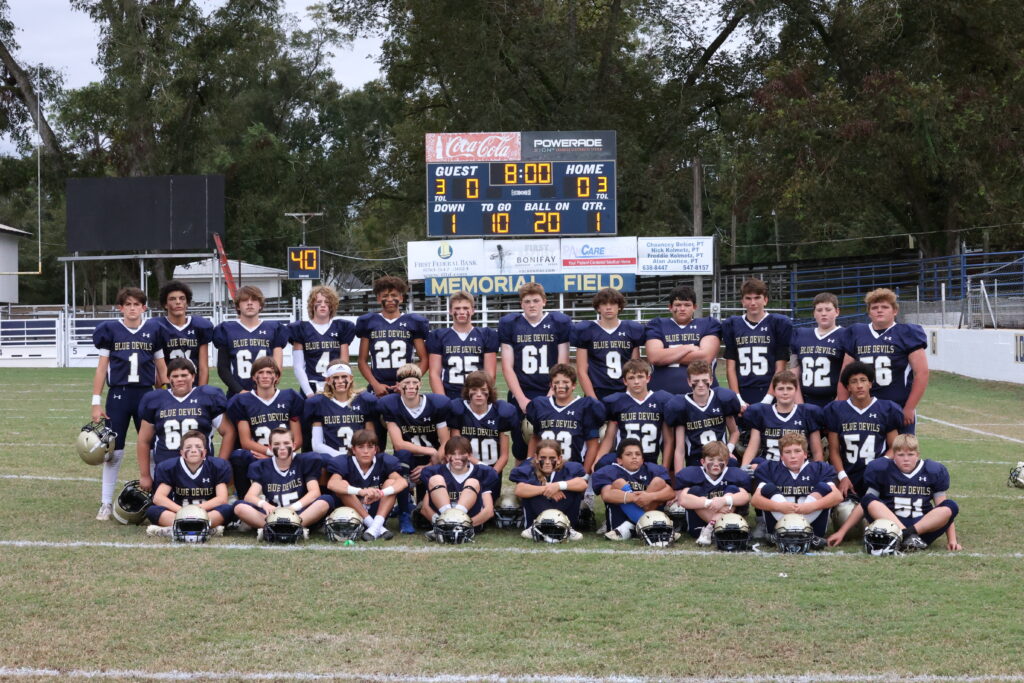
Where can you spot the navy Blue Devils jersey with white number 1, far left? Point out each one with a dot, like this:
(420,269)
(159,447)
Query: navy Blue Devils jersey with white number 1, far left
(132,354)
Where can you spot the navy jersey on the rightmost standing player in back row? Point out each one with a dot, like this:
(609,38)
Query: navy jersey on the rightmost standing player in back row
(889,352)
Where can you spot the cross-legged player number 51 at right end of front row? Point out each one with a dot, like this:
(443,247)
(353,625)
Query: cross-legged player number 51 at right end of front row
(912,493)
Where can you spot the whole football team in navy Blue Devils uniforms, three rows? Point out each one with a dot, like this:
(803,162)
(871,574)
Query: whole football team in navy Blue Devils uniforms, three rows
(817,424)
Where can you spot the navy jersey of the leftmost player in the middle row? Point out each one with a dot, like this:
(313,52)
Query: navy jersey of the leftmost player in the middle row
(172,417)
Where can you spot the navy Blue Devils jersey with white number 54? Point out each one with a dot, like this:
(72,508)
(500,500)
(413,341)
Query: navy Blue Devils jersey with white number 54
(862,433)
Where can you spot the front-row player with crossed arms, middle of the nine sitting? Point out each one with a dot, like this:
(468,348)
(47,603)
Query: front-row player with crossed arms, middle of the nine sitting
(546,482)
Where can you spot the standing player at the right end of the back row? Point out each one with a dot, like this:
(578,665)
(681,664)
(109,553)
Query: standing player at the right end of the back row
(897,351)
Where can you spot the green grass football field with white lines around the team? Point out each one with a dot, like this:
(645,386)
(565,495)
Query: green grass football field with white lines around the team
(87,599)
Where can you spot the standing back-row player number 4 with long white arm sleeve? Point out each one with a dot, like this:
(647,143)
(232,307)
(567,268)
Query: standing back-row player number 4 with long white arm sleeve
(318,341)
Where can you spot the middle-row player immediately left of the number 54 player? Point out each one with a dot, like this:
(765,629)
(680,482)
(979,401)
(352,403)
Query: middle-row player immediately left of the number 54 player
(770,422)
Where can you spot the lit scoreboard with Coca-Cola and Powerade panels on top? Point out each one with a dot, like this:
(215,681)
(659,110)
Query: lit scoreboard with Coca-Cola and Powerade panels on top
(522,185)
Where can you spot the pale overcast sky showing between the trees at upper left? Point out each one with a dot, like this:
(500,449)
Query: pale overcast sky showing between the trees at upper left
(50,31)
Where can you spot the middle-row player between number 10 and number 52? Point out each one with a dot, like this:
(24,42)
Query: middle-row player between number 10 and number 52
(573,421)
